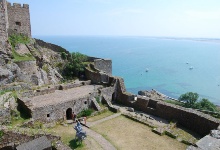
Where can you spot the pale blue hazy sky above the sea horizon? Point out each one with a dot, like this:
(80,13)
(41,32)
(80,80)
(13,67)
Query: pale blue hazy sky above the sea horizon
(170,18)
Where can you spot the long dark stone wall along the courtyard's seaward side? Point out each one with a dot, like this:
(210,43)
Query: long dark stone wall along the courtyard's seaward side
(189,118)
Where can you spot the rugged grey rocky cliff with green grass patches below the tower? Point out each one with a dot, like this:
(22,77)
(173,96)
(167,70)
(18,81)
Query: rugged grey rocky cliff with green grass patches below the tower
(32,62)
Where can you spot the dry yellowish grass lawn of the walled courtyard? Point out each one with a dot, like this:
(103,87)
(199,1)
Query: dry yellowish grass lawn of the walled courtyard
(126,134)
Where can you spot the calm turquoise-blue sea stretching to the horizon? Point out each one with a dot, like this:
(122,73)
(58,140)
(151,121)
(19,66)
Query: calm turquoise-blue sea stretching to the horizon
(167,61)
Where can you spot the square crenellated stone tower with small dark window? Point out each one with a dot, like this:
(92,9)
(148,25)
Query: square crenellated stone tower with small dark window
(19,19)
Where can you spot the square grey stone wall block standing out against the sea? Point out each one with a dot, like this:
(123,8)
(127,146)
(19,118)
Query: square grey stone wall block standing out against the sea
(104,65)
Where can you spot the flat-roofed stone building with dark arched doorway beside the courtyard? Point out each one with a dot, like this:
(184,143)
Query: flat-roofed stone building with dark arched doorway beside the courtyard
(60,104)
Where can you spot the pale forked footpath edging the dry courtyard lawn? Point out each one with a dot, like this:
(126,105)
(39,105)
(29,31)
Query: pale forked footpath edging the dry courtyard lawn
(106,145)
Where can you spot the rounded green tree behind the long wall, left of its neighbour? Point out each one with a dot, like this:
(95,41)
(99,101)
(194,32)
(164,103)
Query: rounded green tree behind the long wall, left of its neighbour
(189,98)
